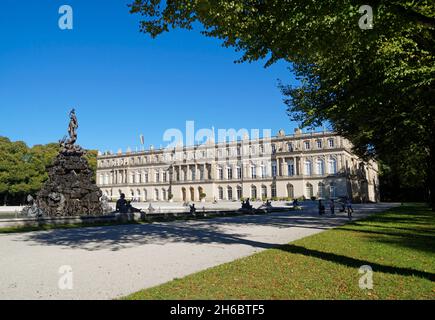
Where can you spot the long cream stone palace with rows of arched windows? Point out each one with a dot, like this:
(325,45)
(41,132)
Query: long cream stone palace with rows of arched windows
(302,165)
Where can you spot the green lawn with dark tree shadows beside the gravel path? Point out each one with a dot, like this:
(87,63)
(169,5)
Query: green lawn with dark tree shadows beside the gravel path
(399,245)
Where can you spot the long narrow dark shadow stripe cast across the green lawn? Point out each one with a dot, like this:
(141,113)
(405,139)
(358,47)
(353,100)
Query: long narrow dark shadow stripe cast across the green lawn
(356,263)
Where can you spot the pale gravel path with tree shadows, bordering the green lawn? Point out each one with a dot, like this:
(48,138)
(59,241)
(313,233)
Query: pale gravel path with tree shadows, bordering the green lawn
(111,262)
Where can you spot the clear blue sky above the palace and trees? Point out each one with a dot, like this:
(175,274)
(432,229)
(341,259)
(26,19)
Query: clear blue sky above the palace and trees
(121,82)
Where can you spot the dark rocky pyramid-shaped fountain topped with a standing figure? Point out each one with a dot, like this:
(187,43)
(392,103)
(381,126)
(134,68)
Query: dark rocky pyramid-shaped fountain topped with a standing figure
(70,190)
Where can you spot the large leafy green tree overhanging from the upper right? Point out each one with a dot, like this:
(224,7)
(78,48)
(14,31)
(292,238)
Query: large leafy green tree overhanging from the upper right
(374,86)
